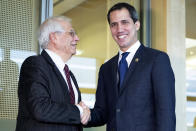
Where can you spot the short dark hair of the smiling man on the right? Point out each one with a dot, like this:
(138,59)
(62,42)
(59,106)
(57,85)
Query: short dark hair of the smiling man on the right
(119,6)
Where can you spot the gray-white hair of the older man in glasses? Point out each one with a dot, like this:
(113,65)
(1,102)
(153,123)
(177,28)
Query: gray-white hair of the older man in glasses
(50,25)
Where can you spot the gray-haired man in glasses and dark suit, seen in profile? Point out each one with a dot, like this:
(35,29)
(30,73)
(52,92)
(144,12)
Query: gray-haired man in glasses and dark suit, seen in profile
(48,91)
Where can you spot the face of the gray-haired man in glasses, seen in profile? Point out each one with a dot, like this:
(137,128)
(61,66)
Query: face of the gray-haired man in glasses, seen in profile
(67,41)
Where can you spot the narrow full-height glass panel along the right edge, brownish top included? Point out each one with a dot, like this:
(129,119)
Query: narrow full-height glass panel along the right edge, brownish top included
(190,9)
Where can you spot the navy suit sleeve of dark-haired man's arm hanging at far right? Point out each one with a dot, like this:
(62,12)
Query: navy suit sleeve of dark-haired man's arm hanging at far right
(164,91)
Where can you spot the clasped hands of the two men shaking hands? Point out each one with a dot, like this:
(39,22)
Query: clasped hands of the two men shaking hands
(85,116)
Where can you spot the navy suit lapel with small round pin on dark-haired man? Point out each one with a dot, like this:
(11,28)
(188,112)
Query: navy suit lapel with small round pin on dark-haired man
(134,63)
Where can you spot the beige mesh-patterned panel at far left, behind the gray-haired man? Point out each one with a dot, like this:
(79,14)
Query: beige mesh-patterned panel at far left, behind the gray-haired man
(18,24)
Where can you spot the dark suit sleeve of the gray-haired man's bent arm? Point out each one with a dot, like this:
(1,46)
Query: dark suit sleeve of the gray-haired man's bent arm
(34,85)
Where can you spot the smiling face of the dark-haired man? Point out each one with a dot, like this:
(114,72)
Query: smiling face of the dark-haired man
(123,29)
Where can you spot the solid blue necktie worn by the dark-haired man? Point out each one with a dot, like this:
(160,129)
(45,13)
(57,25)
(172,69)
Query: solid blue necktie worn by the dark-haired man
(123,66)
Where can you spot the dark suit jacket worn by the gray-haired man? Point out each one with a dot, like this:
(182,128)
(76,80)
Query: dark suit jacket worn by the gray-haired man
(44,101)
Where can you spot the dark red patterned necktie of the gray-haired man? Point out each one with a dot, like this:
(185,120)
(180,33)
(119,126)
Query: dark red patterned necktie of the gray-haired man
(71,92)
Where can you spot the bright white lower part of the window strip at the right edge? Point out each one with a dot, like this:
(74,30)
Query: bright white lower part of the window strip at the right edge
(191,81)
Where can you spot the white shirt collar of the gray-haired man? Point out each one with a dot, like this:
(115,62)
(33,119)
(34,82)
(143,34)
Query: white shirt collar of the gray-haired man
(56,59)
